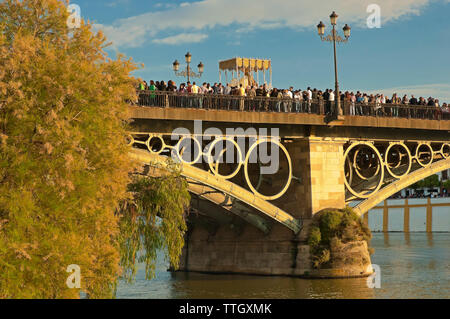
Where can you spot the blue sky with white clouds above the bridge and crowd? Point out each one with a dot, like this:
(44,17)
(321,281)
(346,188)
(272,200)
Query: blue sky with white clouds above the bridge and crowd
(408,54)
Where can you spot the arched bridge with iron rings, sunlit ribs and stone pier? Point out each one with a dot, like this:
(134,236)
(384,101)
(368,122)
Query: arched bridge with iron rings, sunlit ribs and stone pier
(258,177)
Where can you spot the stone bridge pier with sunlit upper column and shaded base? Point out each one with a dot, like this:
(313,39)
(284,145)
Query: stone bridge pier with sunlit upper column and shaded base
(318,183)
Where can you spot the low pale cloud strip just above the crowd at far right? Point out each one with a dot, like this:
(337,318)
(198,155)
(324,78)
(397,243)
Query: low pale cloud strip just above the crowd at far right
(439,91)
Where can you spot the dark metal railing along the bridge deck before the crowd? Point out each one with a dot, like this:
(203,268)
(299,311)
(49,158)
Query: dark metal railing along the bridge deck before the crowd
(269,104)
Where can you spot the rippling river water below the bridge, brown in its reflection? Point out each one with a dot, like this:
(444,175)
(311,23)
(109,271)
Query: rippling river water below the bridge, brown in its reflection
(412,266)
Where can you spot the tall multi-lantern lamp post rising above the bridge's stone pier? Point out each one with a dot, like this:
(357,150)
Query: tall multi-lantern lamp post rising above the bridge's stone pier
(335,37)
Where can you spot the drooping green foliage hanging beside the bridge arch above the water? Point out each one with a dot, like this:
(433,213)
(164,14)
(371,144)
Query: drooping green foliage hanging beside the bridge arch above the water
(154,220)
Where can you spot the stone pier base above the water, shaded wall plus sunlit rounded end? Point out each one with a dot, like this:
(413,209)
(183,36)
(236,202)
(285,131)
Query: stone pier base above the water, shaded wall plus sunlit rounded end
(278,253)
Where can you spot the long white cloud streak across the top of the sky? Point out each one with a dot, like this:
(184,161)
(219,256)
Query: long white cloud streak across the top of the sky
(249,14)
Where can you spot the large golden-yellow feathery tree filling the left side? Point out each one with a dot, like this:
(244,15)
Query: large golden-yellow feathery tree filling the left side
(64,169)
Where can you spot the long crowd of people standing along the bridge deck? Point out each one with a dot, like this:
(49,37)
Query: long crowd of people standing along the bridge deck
(294,100)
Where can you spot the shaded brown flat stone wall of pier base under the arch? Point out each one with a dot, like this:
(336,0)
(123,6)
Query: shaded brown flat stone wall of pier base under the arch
(248,253)
